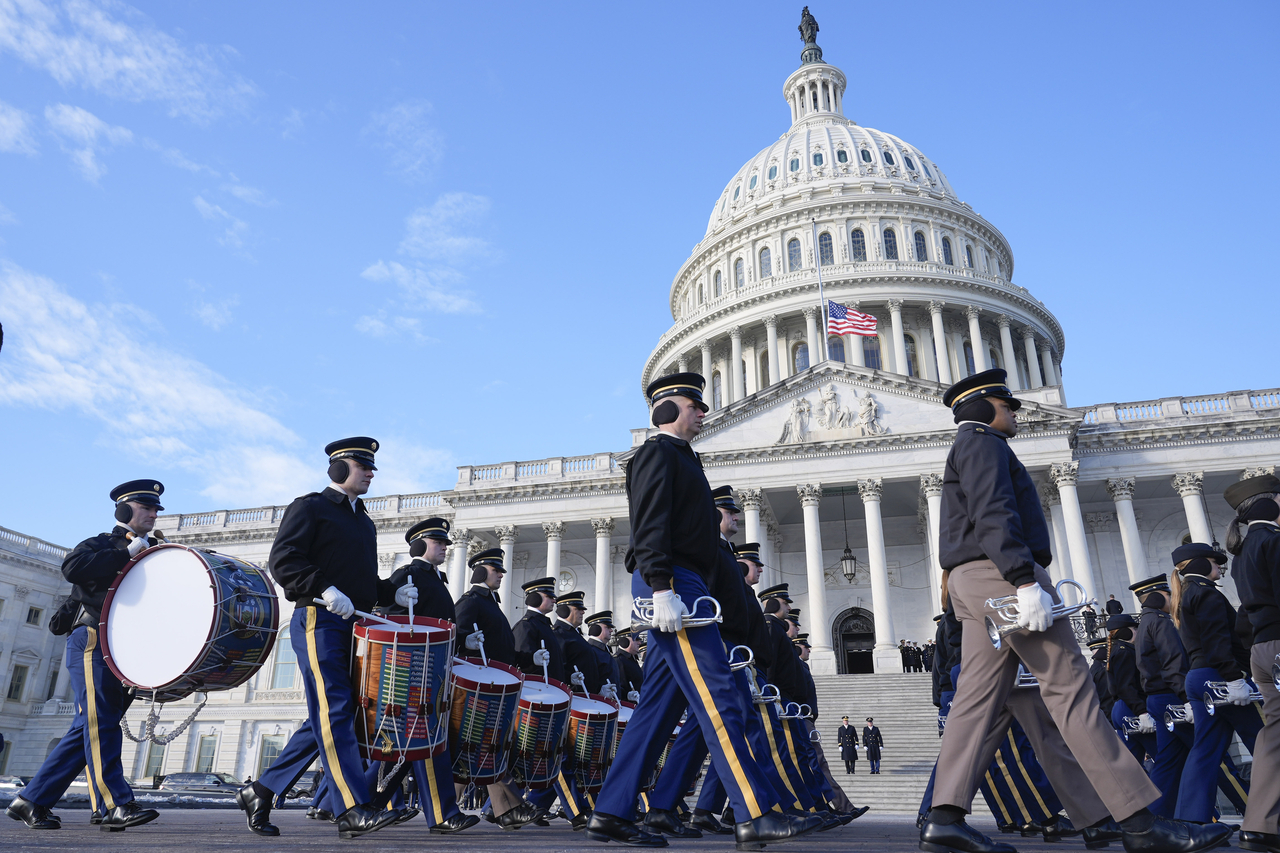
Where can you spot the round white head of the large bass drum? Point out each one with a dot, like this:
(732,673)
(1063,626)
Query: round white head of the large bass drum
(161,618)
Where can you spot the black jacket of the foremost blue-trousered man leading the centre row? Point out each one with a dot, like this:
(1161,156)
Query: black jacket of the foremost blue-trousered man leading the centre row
(674,517)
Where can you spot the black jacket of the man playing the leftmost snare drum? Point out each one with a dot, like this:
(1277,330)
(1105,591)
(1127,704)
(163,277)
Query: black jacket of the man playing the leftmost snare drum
(323,542)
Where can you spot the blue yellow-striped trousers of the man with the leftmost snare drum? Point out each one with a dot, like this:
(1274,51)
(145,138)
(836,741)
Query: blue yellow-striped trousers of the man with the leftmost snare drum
(322,642)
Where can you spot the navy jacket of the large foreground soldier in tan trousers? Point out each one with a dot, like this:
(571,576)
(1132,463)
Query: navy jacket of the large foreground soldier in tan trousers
(990,508)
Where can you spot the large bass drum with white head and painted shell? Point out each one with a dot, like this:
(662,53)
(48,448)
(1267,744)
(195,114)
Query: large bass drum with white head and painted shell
(179,621)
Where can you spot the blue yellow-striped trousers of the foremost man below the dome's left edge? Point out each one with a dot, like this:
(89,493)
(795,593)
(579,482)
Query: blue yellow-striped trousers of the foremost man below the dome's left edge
(687,670)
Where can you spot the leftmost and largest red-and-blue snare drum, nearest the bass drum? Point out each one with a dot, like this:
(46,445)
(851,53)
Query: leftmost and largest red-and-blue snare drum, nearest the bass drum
(400,679)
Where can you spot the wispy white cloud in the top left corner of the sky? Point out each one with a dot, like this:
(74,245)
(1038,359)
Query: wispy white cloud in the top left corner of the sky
(115,49)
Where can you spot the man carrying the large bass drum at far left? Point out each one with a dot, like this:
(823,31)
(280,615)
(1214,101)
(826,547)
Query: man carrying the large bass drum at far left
(94,741)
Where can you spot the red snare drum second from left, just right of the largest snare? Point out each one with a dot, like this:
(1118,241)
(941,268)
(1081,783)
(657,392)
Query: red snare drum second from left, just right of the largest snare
(482,719)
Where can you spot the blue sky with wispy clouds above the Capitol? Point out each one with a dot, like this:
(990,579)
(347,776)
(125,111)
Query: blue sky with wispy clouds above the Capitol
(234,232)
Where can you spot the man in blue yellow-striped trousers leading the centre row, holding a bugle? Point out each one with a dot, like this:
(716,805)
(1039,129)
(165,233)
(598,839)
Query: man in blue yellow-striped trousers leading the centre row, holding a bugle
(674,558)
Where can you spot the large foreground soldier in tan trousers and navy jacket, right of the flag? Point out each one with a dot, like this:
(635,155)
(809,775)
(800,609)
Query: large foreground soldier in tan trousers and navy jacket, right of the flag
(994,542)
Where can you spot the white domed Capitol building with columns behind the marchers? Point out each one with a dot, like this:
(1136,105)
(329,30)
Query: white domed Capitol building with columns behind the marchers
(833,444)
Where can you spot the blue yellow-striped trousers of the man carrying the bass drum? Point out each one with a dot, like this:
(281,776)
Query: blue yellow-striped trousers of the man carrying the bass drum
(95,740)
